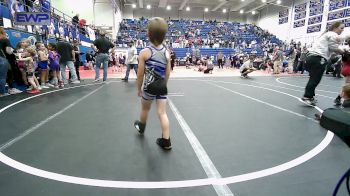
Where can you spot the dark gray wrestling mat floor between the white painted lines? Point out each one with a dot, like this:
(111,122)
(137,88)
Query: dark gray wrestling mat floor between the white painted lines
(95,138)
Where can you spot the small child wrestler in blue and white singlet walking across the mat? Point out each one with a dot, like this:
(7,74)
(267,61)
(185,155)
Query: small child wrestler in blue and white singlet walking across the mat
(154,65)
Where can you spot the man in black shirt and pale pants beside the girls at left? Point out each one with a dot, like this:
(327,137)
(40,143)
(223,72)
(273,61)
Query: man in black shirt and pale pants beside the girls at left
(67,54)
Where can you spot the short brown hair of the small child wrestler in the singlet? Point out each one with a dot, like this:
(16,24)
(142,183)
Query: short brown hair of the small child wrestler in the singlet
(157,29)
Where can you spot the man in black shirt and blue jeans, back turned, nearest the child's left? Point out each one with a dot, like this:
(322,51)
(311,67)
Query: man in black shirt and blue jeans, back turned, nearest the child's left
(102,46)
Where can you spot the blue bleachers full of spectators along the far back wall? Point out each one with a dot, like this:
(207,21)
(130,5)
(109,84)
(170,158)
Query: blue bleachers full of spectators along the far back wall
(132,29)
